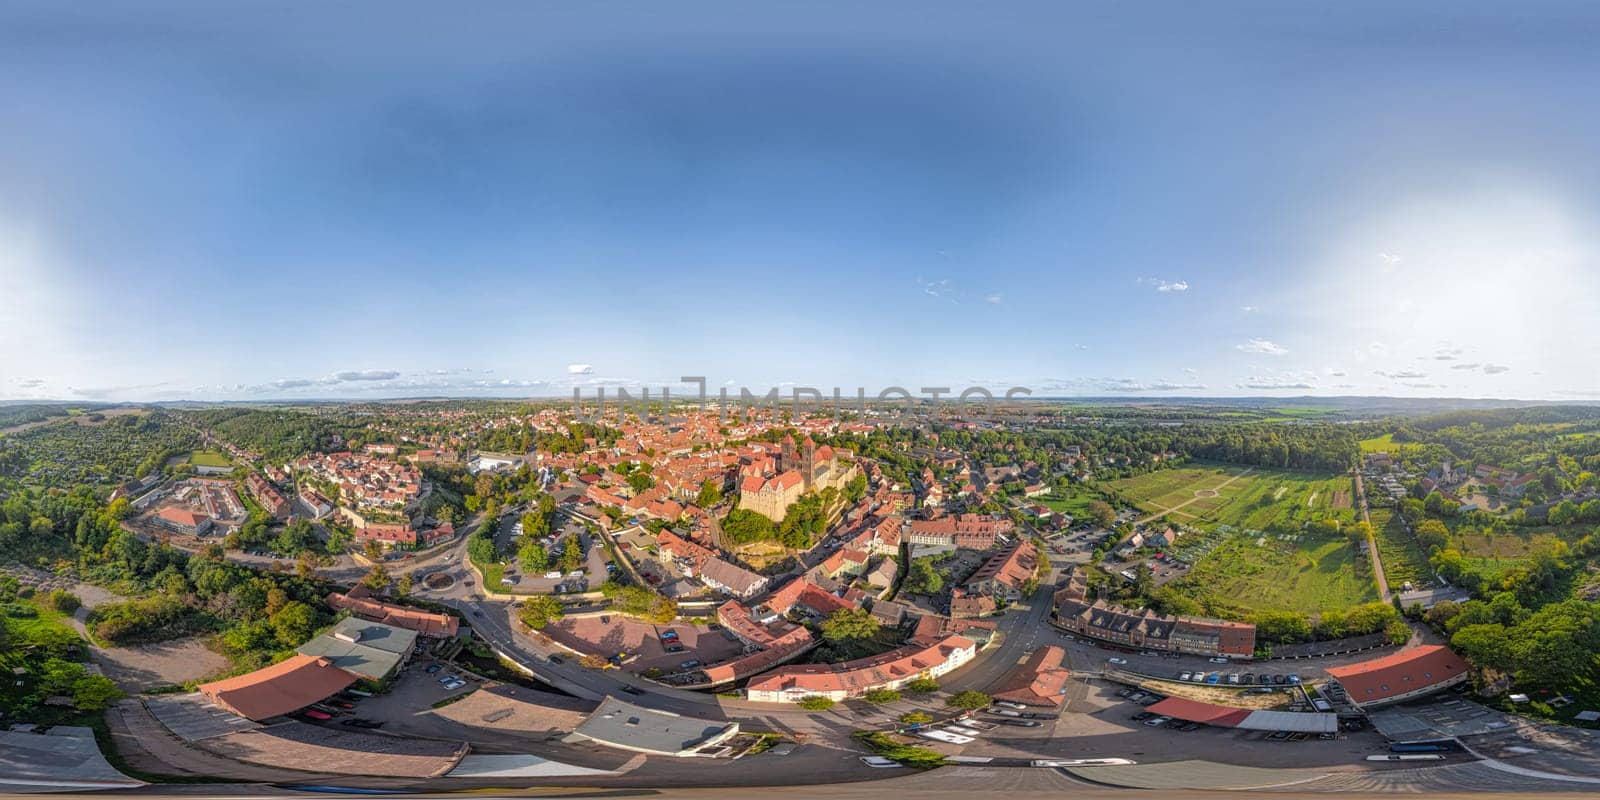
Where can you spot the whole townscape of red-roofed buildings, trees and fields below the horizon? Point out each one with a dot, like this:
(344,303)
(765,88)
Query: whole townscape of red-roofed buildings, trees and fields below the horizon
(463,593)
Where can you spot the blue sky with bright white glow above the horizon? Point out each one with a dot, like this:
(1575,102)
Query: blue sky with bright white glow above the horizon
(241,202)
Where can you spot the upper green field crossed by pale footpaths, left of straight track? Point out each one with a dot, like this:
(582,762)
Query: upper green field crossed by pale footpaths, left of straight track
(1255,500)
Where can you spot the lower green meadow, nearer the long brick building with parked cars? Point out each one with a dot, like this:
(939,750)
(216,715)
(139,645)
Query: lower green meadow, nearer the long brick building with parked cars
(1311,575)
